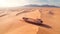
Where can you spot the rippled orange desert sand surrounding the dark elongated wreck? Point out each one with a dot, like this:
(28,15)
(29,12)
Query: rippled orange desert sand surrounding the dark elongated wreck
(11,21)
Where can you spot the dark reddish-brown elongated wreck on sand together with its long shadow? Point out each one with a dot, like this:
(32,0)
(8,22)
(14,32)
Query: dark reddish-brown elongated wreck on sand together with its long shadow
(37,22)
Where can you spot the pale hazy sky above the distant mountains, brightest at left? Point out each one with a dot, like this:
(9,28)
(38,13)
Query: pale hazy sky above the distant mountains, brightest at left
(14,3)
